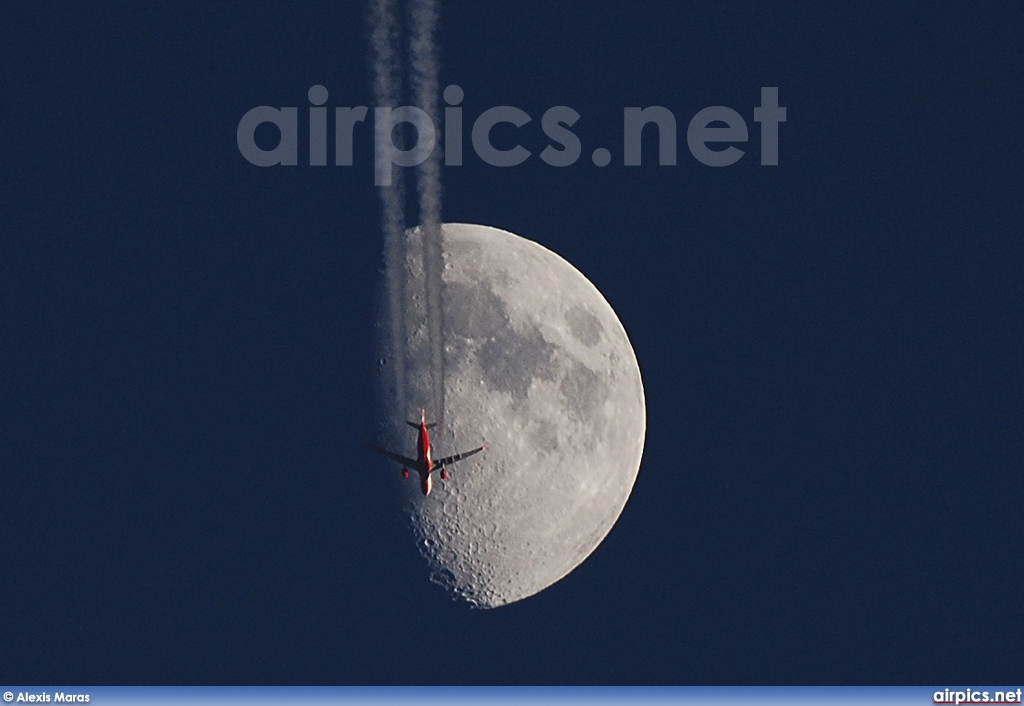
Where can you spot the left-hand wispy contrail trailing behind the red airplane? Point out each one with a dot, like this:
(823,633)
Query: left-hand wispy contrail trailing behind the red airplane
(388,93)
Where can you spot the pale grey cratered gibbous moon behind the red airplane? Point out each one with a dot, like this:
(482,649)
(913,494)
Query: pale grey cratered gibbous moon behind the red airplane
(537,365)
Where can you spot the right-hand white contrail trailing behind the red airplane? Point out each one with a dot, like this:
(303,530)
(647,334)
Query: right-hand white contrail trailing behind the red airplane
(425,70)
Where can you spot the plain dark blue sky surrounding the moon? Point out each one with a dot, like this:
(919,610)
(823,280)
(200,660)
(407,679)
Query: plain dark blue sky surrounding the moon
(831,490)
